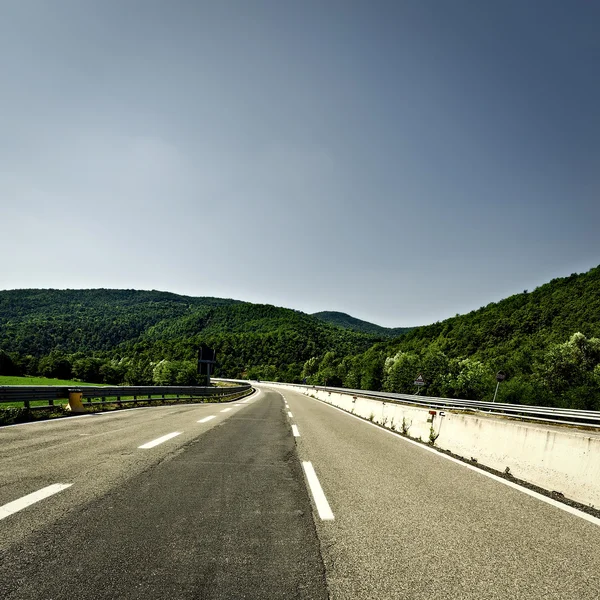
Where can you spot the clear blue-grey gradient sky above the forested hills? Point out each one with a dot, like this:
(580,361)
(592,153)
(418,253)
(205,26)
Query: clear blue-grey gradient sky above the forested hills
(401,161)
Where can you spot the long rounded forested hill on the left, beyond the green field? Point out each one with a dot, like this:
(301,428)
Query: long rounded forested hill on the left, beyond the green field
(118,336)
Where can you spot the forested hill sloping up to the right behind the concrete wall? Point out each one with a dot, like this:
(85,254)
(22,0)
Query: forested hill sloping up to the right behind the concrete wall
(547,341)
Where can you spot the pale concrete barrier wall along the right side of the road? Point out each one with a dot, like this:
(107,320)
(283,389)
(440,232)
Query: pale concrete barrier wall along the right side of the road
(562,459)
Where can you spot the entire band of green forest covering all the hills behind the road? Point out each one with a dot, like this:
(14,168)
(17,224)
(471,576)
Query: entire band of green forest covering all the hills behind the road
(547,341)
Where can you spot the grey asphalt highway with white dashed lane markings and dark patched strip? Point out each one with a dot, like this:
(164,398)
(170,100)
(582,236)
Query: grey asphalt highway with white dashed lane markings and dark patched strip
(279,496)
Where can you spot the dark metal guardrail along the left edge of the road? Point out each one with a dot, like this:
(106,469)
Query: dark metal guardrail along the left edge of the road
(117,394)
